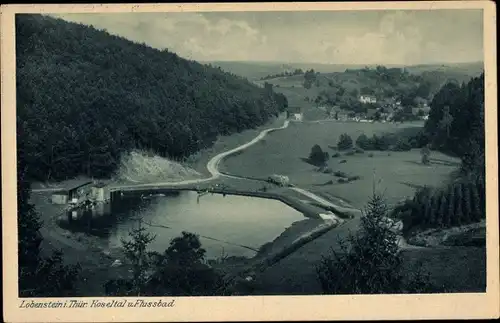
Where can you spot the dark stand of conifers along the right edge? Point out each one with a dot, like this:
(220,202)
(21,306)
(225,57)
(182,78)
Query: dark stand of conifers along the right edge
(455,125)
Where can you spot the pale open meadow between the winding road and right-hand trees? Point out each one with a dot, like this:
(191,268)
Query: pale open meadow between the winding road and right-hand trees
(283,152)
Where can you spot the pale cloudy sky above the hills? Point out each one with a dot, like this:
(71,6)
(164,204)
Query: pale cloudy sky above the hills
(334,37)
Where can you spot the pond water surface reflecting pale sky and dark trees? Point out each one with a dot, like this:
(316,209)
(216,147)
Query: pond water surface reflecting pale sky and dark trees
(230,225)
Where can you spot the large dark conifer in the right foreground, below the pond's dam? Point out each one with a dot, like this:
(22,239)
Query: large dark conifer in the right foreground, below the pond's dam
(369,262)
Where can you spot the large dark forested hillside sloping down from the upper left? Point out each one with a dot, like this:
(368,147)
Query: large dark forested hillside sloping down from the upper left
(85,96)
